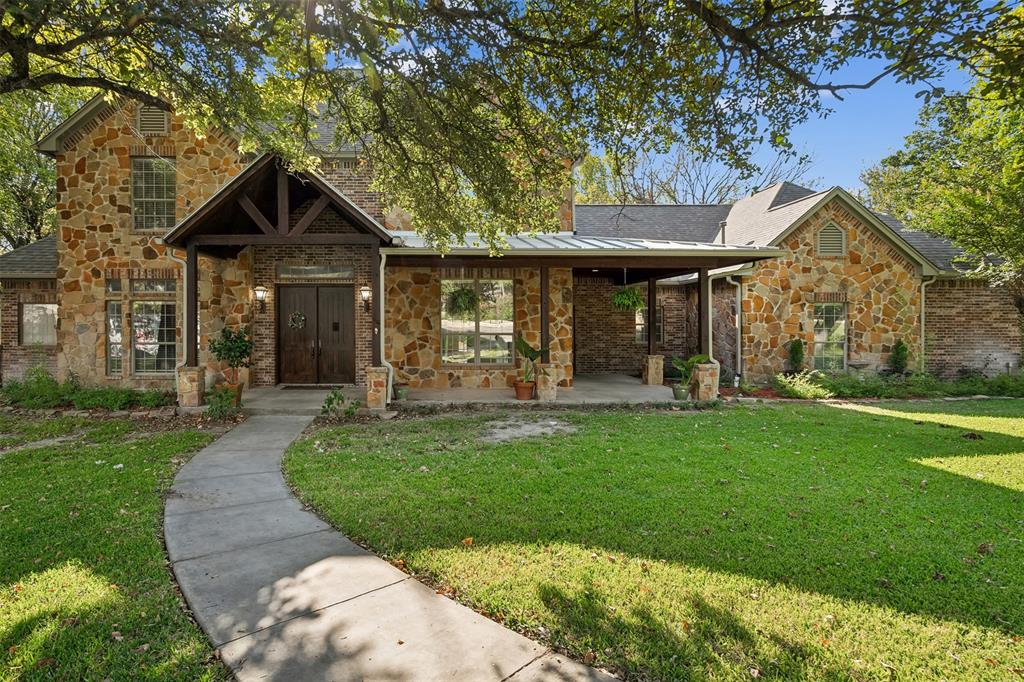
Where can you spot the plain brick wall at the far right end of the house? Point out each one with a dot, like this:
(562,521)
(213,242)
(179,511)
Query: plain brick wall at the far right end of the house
(971,327)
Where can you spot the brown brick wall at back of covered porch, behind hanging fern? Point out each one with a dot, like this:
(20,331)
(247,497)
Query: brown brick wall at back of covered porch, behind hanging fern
(607,338)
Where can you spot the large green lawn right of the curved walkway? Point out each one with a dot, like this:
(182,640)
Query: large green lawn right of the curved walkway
(786,542)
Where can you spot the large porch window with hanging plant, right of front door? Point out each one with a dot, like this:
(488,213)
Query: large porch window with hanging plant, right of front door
(477,322)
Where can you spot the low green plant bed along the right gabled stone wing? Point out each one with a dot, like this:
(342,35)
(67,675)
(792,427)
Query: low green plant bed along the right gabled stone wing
(817,386)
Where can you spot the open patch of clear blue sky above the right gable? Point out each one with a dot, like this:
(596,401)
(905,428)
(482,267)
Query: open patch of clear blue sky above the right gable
(864,127)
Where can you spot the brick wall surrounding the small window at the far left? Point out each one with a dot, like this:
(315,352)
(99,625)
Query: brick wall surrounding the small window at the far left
(16,359)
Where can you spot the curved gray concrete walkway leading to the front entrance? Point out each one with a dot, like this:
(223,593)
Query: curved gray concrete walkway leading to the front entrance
(285,598)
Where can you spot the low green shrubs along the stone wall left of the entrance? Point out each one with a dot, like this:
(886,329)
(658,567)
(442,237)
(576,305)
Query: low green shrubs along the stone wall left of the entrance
(39,391)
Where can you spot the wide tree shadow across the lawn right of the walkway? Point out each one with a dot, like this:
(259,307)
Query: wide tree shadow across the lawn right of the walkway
(826,501)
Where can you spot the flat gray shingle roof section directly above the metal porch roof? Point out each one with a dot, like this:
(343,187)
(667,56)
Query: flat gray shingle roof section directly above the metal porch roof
(673,223)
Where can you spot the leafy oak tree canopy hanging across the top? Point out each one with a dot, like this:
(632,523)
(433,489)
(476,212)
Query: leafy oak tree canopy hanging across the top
(470,110)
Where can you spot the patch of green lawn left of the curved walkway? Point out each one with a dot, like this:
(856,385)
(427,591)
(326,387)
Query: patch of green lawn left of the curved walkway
(86,593)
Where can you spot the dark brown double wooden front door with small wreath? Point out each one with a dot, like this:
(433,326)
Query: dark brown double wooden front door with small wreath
(316,334)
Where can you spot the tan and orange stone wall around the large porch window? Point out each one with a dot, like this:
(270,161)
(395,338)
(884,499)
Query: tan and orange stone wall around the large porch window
(413,327)
